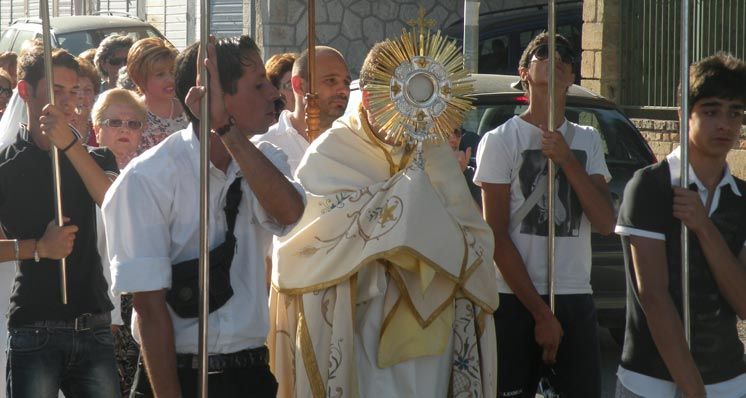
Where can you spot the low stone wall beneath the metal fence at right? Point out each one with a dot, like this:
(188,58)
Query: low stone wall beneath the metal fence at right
(663,137)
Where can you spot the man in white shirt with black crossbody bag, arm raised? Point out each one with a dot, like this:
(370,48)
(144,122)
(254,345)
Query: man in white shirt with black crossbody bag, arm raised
(152,226)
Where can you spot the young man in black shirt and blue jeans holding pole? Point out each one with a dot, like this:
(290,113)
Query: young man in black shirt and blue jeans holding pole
(53,346)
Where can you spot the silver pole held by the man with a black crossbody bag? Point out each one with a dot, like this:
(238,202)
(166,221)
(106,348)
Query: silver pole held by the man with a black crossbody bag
(204,201)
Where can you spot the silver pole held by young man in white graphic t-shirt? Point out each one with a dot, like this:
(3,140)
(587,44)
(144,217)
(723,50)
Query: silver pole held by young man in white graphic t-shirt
(550,164)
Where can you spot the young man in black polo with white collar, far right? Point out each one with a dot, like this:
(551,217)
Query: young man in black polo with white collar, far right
(656,361)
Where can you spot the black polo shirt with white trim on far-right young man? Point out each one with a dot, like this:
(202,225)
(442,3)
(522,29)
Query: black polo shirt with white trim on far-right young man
(716,348)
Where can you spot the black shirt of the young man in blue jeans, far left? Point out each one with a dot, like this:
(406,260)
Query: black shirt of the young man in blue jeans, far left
(26,207)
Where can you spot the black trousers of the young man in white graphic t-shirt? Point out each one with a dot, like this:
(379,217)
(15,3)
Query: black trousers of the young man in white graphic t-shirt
(577,372)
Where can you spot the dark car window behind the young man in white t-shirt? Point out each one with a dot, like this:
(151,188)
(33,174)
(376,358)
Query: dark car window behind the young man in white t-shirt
(620,139)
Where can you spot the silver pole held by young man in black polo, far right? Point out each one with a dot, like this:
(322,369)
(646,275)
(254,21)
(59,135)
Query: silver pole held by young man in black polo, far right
(684,145)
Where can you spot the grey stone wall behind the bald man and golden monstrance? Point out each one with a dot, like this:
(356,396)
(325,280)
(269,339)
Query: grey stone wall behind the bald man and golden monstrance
(353,26)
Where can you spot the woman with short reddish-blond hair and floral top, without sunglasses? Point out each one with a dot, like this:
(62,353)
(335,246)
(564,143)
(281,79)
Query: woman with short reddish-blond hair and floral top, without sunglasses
(150,65)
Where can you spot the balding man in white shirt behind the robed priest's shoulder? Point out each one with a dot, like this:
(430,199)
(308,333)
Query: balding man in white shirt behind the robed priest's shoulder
(333,87)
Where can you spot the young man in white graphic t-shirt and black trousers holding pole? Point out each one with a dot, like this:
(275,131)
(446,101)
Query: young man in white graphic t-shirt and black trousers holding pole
(511,164)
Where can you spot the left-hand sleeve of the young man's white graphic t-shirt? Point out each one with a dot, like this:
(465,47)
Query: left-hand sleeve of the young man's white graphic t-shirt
(494,158)
